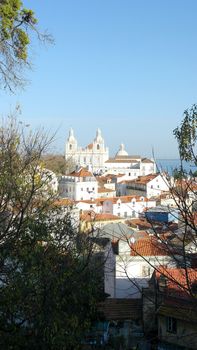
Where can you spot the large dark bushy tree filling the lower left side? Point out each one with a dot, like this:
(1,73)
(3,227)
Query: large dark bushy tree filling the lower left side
(48,285)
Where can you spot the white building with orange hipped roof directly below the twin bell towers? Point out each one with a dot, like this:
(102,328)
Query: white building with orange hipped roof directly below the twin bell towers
(79,185)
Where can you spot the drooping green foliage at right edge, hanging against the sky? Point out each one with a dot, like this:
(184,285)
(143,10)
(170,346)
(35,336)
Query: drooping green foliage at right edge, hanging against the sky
(186,135)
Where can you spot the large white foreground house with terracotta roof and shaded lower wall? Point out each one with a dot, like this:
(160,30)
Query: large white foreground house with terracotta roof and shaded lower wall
(135,264)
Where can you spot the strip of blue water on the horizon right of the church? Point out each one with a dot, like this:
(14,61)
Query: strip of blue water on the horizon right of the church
(170,164)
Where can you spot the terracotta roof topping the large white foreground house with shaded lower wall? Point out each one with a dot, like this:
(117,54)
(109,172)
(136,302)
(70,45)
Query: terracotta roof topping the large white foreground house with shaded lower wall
(149,247)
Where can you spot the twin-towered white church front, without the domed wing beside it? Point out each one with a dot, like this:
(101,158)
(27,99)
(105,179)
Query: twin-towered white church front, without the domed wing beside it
(93,156)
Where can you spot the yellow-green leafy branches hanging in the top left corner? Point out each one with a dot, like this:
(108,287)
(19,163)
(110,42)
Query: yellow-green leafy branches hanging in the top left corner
(17,23)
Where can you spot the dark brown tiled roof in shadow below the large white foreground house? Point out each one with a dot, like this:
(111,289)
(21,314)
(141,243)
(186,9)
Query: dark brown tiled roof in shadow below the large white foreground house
(121,309)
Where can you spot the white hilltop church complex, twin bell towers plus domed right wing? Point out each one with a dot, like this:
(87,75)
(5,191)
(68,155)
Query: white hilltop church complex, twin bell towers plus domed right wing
(96,158)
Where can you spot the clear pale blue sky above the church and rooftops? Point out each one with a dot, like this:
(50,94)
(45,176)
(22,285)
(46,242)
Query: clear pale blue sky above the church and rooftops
(128,67)
